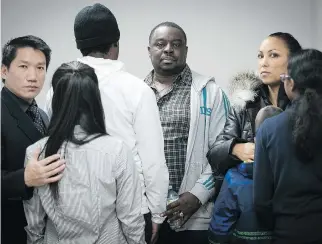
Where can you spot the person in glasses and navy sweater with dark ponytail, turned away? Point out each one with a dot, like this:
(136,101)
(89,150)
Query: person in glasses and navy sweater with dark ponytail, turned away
(288,157)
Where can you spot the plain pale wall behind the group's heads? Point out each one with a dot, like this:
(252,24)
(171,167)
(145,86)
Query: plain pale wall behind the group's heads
(223,36)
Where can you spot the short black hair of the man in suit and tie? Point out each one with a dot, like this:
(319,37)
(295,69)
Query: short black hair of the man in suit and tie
(9,50)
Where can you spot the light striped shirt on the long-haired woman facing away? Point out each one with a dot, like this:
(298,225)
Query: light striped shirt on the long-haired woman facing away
(99,197)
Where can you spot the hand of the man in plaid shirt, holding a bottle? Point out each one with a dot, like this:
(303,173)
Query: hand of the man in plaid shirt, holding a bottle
(186,205)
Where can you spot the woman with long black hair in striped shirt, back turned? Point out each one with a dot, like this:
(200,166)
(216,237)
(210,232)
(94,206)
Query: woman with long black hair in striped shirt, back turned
(98,198)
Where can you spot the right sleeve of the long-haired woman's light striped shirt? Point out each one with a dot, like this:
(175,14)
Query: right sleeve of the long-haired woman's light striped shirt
(128,199)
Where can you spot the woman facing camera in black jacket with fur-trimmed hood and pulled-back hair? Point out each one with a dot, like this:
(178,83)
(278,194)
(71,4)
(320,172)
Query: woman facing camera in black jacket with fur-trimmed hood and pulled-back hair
(248,95)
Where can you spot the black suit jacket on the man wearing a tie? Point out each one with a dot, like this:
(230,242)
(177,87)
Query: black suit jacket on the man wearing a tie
(17,133)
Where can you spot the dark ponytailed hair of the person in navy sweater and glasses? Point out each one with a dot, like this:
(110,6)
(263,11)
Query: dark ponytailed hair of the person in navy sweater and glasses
(305,68)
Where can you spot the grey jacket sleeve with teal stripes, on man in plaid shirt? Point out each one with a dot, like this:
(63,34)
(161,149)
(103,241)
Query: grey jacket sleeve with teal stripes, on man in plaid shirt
(204,187)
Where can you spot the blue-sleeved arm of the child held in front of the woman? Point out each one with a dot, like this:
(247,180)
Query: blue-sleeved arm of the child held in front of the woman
(225,215)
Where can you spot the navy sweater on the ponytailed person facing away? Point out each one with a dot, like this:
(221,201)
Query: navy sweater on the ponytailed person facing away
(287,192)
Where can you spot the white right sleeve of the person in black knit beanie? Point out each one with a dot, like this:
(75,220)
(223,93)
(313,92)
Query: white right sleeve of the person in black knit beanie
(150,146)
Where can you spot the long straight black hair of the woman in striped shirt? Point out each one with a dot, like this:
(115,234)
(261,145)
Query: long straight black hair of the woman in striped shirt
(76,101)
